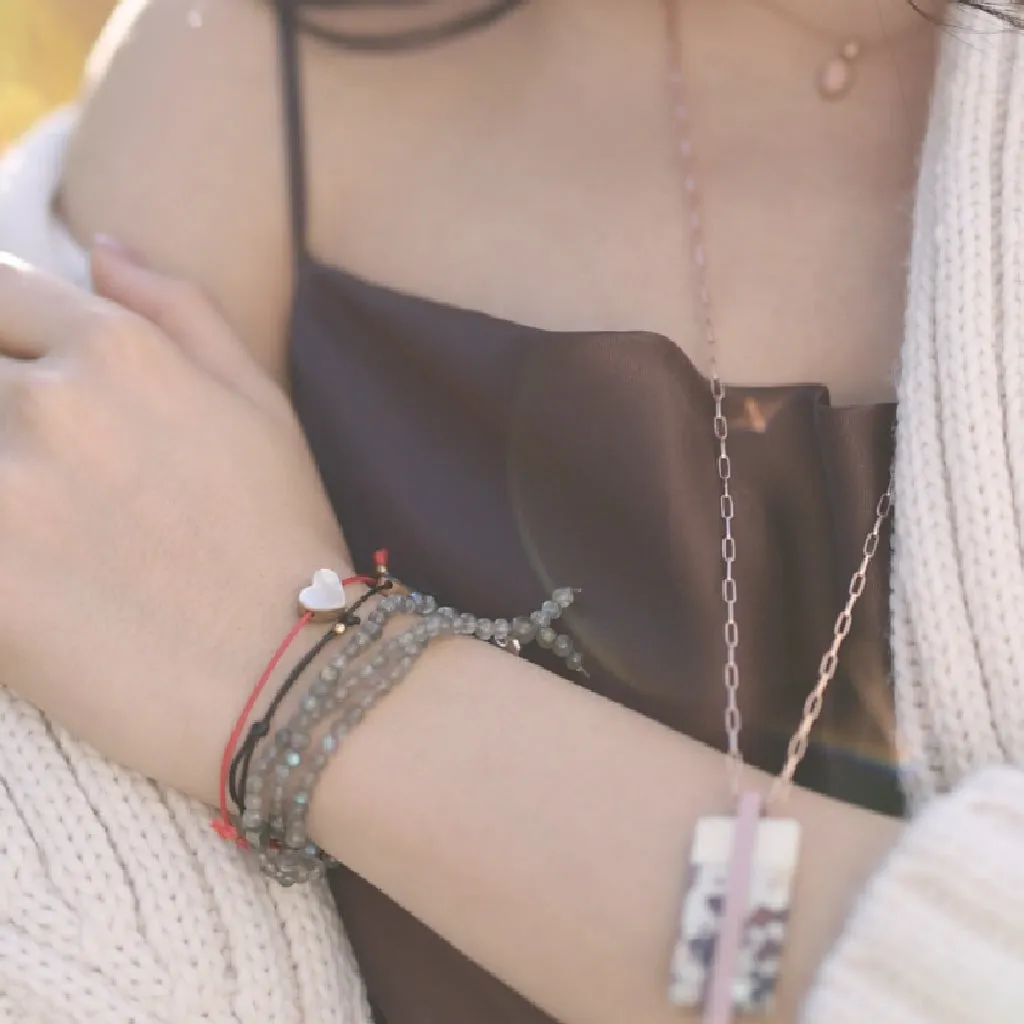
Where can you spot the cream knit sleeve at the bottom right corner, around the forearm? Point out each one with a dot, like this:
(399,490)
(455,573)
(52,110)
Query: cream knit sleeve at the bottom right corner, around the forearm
(938,936)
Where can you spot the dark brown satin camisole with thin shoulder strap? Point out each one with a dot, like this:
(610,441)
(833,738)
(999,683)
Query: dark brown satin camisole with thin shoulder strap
(498,461)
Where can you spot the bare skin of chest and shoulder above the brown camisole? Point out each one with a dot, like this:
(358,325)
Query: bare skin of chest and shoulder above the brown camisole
(548,142)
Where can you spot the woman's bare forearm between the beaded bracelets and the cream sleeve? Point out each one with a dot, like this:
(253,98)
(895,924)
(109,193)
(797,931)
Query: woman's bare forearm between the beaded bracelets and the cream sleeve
(545,832)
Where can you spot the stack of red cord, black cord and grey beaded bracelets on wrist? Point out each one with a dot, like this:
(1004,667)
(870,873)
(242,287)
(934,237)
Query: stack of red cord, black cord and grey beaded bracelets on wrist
(271,779)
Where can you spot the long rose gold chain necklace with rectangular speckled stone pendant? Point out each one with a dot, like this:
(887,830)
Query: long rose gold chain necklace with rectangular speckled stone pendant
(736,911)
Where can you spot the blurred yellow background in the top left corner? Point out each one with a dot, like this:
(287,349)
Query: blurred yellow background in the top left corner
(44,46)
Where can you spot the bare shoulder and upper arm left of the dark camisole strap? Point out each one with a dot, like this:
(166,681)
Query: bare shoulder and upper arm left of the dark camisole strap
(179,154)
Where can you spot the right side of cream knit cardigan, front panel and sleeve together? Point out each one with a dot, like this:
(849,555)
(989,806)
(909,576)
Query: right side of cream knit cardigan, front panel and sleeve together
(938,936)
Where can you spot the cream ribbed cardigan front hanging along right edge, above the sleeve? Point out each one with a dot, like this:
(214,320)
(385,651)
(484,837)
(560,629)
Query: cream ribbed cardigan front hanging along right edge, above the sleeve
(958,610)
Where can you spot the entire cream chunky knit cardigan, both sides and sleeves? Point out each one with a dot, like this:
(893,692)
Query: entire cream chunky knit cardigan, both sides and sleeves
(119,905)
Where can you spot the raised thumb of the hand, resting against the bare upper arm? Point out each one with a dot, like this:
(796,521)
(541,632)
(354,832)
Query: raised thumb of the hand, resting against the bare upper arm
(185,314)
